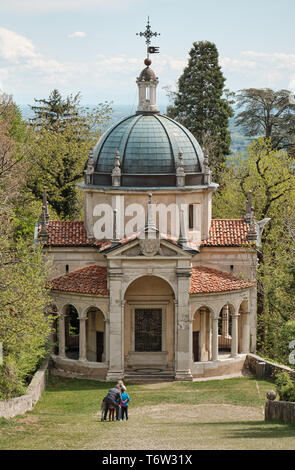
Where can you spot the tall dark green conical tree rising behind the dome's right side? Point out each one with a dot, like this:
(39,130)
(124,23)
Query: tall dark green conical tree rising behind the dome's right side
(202,103)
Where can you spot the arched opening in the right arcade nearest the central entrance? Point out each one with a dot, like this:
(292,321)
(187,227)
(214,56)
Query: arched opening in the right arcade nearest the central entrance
(201,335)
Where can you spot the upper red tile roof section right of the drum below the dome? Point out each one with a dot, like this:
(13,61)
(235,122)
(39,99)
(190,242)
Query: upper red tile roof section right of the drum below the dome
(227,232)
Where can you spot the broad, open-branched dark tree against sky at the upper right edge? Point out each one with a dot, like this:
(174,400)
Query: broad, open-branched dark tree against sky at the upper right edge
(268,113)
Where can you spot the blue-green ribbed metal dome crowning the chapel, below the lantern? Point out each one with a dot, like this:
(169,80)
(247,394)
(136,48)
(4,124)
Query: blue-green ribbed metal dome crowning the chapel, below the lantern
(148,145)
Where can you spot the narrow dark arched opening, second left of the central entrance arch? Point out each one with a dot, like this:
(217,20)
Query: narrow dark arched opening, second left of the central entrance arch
(72,331)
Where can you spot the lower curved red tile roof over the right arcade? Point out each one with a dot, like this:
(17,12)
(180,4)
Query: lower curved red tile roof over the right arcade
(207,280)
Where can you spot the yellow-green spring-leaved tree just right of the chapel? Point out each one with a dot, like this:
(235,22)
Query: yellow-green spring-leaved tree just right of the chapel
(269,174)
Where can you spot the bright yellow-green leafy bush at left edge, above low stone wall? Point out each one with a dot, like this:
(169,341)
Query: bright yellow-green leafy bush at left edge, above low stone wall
(24,327)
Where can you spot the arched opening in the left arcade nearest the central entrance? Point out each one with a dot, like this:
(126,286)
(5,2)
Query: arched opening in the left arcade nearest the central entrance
(95,335)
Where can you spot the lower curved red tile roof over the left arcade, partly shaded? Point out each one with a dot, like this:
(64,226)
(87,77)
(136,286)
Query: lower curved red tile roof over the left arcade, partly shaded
(88,280)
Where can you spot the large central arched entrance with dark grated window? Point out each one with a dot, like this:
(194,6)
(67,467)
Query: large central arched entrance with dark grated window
(149,324)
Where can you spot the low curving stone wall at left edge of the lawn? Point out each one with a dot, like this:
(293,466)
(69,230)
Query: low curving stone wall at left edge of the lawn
(24,403)
